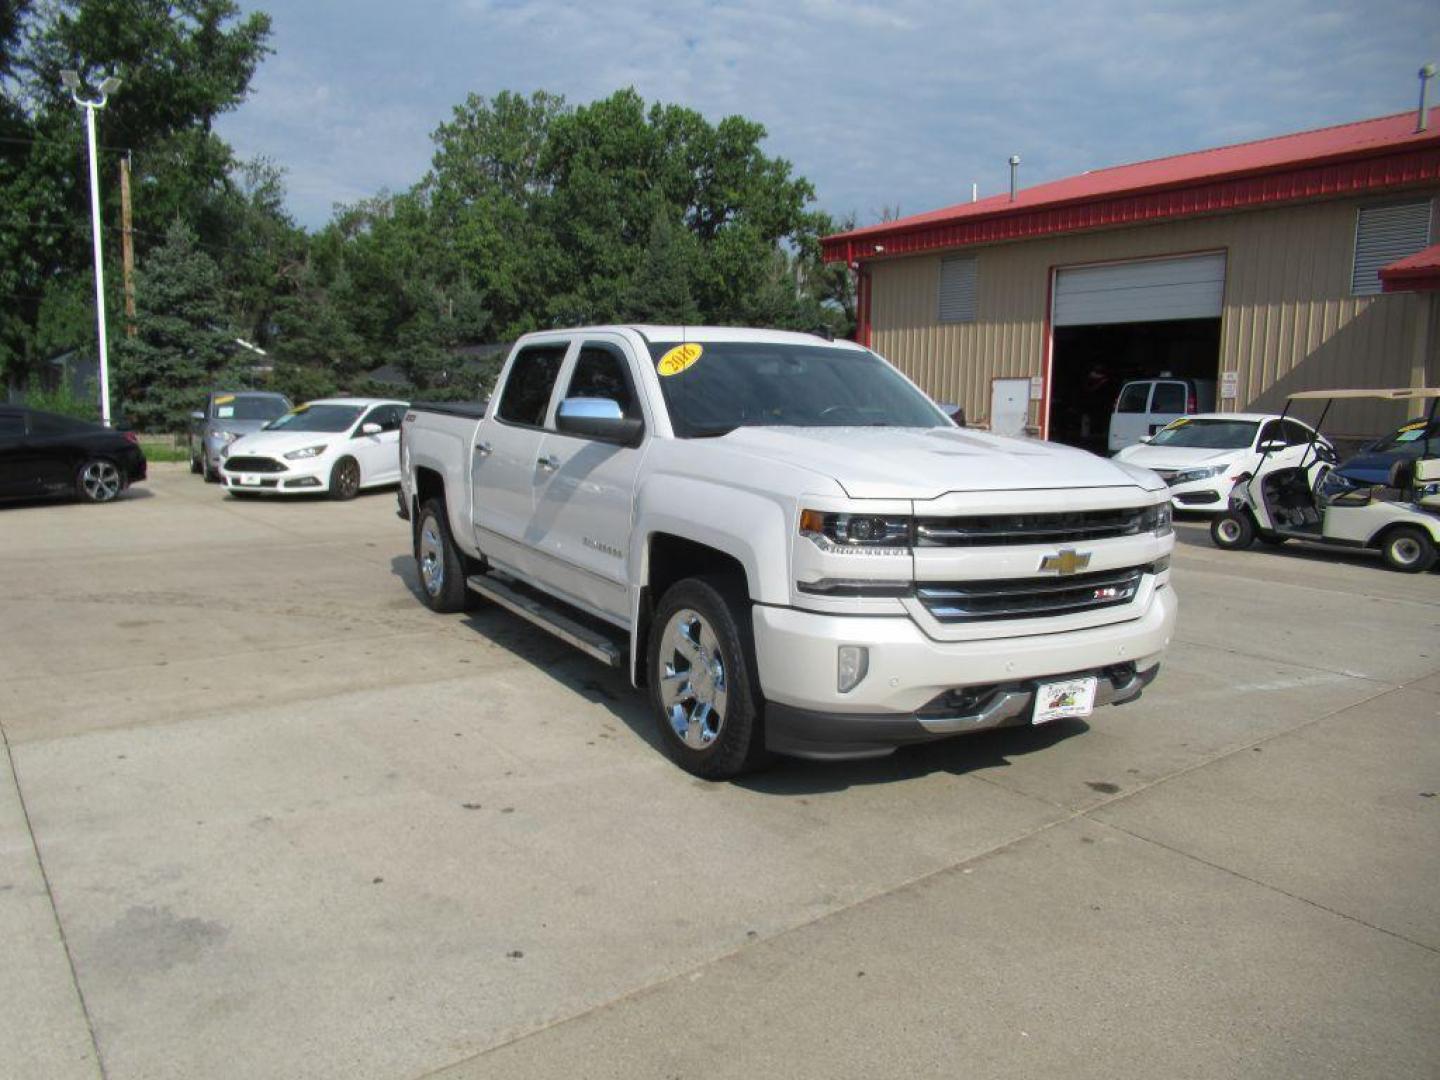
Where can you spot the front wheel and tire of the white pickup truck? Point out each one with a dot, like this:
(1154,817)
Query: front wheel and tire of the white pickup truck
(702,680)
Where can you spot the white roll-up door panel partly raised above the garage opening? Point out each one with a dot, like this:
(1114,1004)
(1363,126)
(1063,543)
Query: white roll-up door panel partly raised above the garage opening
(1146,292)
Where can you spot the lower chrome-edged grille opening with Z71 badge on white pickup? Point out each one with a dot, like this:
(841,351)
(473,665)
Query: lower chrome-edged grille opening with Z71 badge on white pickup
(1027,598)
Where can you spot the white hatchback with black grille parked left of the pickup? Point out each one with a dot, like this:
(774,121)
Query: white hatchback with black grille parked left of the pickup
(336,446)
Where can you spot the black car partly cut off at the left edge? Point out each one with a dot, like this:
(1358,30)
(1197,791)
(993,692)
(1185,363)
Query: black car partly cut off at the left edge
(42,454)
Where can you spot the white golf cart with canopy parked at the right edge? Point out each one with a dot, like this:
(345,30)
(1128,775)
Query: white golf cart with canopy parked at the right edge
(1311,502)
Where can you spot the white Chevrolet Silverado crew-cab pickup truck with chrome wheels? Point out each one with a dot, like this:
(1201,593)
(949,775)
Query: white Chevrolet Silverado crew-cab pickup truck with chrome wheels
(787,544)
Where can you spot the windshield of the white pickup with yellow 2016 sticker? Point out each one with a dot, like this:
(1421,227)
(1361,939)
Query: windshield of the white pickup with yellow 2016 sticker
(714,388)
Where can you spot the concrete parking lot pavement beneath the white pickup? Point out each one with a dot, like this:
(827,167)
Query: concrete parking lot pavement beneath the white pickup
(264,816)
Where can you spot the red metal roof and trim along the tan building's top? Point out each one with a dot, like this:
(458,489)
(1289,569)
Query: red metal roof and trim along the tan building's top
(1372,166)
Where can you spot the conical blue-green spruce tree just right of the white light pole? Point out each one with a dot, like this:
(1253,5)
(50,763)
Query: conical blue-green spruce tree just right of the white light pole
(182,346)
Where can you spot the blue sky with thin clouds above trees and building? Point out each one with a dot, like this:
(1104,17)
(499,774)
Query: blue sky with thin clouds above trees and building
(878,104)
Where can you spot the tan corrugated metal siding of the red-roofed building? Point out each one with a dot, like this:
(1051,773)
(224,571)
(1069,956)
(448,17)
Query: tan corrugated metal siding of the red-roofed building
(1288,323)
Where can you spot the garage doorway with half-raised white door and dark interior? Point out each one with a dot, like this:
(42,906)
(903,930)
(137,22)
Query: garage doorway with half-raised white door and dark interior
(1130,320)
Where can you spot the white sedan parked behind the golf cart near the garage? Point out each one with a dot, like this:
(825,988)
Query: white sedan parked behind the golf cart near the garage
(1200,457)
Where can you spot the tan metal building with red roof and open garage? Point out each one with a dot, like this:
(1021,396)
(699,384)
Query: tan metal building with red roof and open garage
(1302,261)
